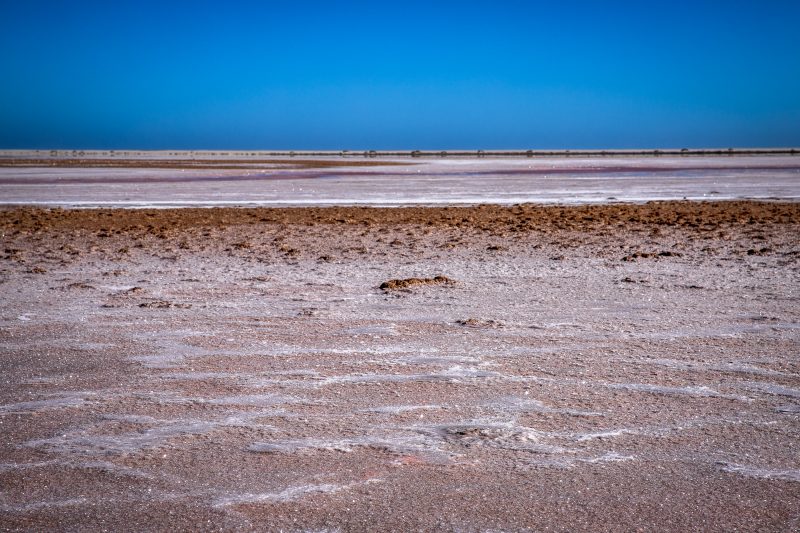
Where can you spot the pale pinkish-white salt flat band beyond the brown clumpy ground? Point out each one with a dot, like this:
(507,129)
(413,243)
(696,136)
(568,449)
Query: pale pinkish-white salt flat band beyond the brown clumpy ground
(446,181)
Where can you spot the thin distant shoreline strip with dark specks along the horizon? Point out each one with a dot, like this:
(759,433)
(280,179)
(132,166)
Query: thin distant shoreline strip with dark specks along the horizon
(202,154)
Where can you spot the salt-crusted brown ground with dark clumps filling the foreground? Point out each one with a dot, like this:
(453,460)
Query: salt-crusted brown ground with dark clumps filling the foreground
(595,368)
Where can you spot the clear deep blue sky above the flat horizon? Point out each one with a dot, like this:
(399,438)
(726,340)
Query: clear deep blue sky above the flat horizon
(399,75)
